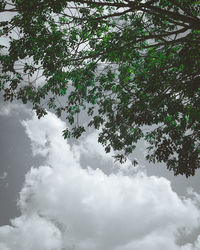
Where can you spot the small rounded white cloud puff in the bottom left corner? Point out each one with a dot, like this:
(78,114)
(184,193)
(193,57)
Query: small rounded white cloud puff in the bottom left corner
(30,233)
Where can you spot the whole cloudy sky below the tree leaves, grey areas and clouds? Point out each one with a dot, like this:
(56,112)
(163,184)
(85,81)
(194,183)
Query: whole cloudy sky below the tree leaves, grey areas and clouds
(72,196)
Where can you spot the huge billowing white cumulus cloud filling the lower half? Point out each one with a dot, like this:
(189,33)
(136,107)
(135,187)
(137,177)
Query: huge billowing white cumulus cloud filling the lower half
(67,207)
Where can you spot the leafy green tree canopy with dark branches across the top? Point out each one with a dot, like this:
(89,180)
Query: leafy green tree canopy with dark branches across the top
(126,63)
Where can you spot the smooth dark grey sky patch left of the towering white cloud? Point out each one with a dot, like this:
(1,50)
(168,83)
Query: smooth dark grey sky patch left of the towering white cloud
(16,160)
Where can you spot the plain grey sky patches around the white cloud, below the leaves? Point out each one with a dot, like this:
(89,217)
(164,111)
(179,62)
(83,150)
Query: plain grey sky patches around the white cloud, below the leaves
(16,159)
